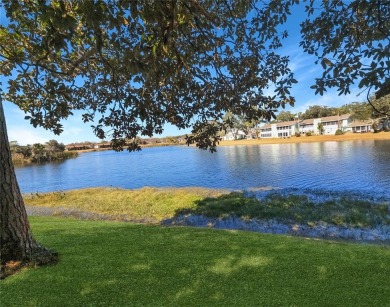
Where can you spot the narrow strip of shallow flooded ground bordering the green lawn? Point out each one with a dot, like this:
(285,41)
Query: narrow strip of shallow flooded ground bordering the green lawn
(375,235)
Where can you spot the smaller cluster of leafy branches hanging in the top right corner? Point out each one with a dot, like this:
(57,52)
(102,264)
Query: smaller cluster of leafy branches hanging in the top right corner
(351,40)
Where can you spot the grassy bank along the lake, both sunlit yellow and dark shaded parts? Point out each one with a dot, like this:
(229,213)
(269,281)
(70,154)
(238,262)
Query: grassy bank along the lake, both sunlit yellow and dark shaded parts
(155,205)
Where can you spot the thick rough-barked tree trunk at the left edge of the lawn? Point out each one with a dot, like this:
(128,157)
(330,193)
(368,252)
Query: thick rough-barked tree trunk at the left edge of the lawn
(16,241)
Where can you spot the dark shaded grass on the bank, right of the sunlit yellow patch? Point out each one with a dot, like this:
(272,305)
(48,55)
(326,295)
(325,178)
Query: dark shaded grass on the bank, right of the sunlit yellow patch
(290,209)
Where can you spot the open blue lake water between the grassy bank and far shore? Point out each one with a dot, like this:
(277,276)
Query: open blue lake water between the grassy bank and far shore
(338,166)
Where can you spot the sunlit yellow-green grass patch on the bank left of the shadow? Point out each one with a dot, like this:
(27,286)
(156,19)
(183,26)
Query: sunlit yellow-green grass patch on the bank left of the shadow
(150,204)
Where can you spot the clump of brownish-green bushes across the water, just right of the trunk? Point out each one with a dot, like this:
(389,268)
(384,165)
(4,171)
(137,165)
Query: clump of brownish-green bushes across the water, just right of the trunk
(37,153)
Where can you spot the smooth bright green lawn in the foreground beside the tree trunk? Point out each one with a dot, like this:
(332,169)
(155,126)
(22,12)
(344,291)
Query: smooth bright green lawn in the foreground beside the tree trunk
(124,264)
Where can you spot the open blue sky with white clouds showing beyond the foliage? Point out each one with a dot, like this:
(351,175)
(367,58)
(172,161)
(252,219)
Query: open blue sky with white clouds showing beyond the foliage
(302,65)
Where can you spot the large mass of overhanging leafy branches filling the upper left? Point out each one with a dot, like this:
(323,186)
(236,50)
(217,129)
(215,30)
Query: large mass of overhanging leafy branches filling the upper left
(134,66)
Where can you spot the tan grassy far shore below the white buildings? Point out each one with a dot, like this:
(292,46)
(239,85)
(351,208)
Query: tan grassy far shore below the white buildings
(310,139)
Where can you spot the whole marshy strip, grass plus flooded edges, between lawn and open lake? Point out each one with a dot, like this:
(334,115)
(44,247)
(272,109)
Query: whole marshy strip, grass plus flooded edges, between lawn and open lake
(315,214)
